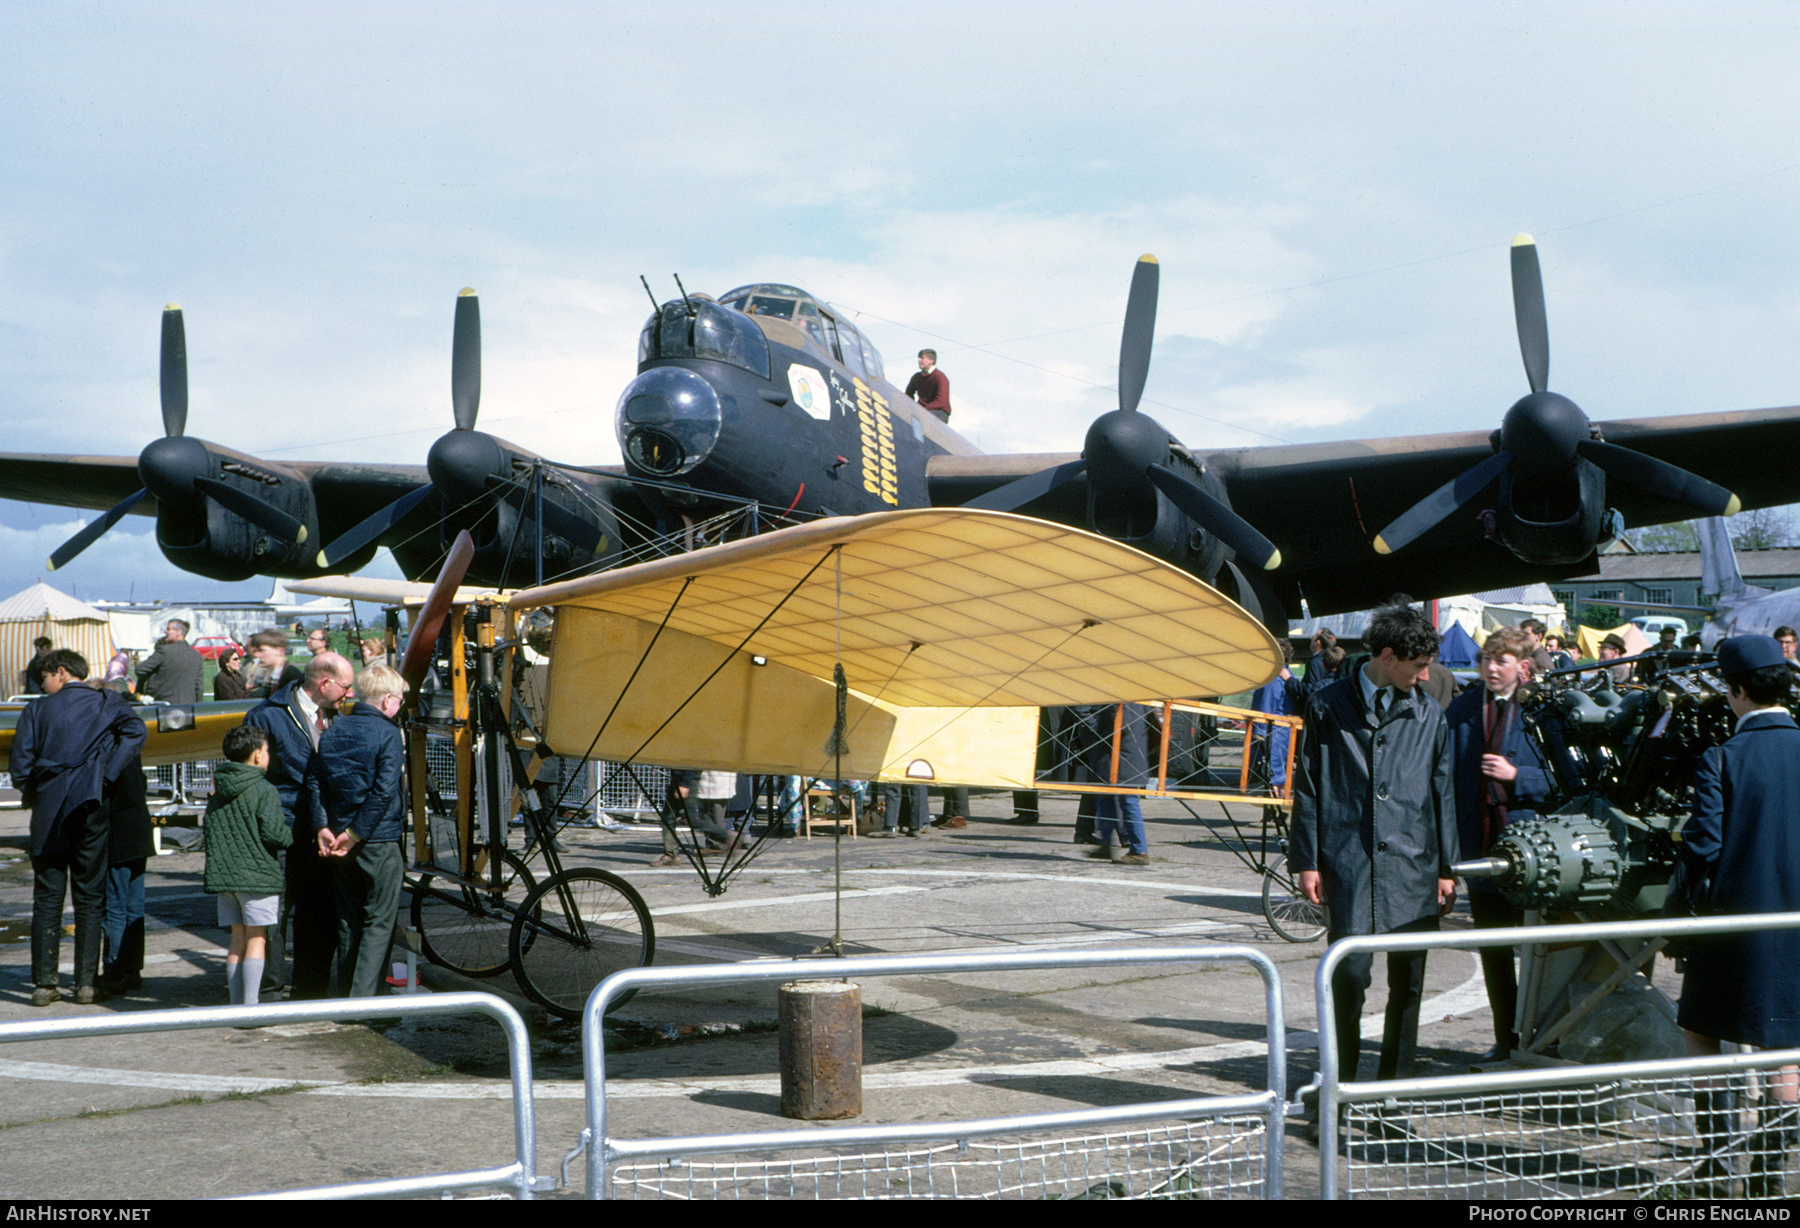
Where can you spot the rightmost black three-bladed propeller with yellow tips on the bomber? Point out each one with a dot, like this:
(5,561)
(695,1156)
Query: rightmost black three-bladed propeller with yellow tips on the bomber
(1547,435)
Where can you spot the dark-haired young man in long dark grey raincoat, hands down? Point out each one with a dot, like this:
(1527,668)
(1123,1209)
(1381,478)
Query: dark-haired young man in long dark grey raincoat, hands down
(1374,826)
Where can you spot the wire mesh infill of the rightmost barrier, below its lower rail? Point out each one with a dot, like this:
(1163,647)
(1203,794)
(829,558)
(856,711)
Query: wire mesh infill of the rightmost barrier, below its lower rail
(1660,1139)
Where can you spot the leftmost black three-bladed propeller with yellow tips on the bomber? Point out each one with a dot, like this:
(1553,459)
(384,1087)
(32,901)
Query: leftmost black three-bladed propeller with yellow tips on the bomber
(177,467)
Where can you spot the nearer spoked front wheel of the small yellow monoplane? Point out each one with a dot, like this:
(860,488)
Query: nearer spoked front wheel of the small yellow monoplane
(573,932)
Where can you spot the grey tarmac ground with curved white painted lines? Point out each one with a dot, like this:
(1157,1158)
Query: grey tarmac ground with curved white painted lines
(220,1112)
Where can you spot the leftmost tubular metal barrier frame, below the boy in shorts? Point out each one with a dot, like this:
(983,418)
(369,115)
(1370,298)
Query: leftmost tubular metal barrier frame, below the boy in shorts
(521,1175)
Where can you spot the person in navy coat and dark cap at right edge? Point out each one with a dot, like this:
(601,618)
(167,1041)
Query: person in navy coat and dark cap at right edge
(1741,845)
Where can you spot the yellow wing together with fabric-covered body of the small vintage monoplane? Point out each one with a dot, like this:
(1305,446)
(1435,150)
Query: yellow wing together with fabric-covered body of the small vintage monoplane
(951,628)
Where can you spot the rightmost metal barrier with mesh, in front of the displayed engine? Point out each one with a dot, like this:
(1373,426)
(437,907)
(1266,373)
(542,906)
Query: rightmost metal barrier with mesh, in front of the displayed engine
(1695,1126)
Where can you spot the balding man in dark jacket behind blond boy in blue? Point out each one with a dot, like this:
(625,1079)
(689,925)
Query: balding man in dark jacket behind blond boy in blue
(294,719)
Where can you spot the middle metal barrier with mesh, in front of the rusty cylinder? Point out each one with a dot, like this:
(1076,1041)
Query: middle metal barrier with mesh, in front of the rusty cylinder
(1191,1148)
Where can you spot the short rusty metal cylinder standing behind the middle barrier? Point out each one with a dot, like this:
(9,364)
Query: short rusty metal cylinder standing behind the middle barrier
(822,1051)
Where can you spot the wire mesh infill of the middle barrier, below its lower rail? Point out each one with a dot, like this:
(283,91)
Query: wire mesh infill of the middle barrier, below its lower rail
(1209,1159)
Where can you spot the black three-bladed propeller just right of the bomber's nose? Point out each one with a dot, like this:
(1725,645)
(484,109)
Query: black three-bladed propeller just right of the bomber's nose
(1126,451)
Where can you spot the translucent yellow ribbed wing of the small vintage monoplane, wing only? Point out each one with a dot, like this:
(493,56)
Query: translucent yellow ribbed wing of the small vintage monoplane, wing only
(948,608)
